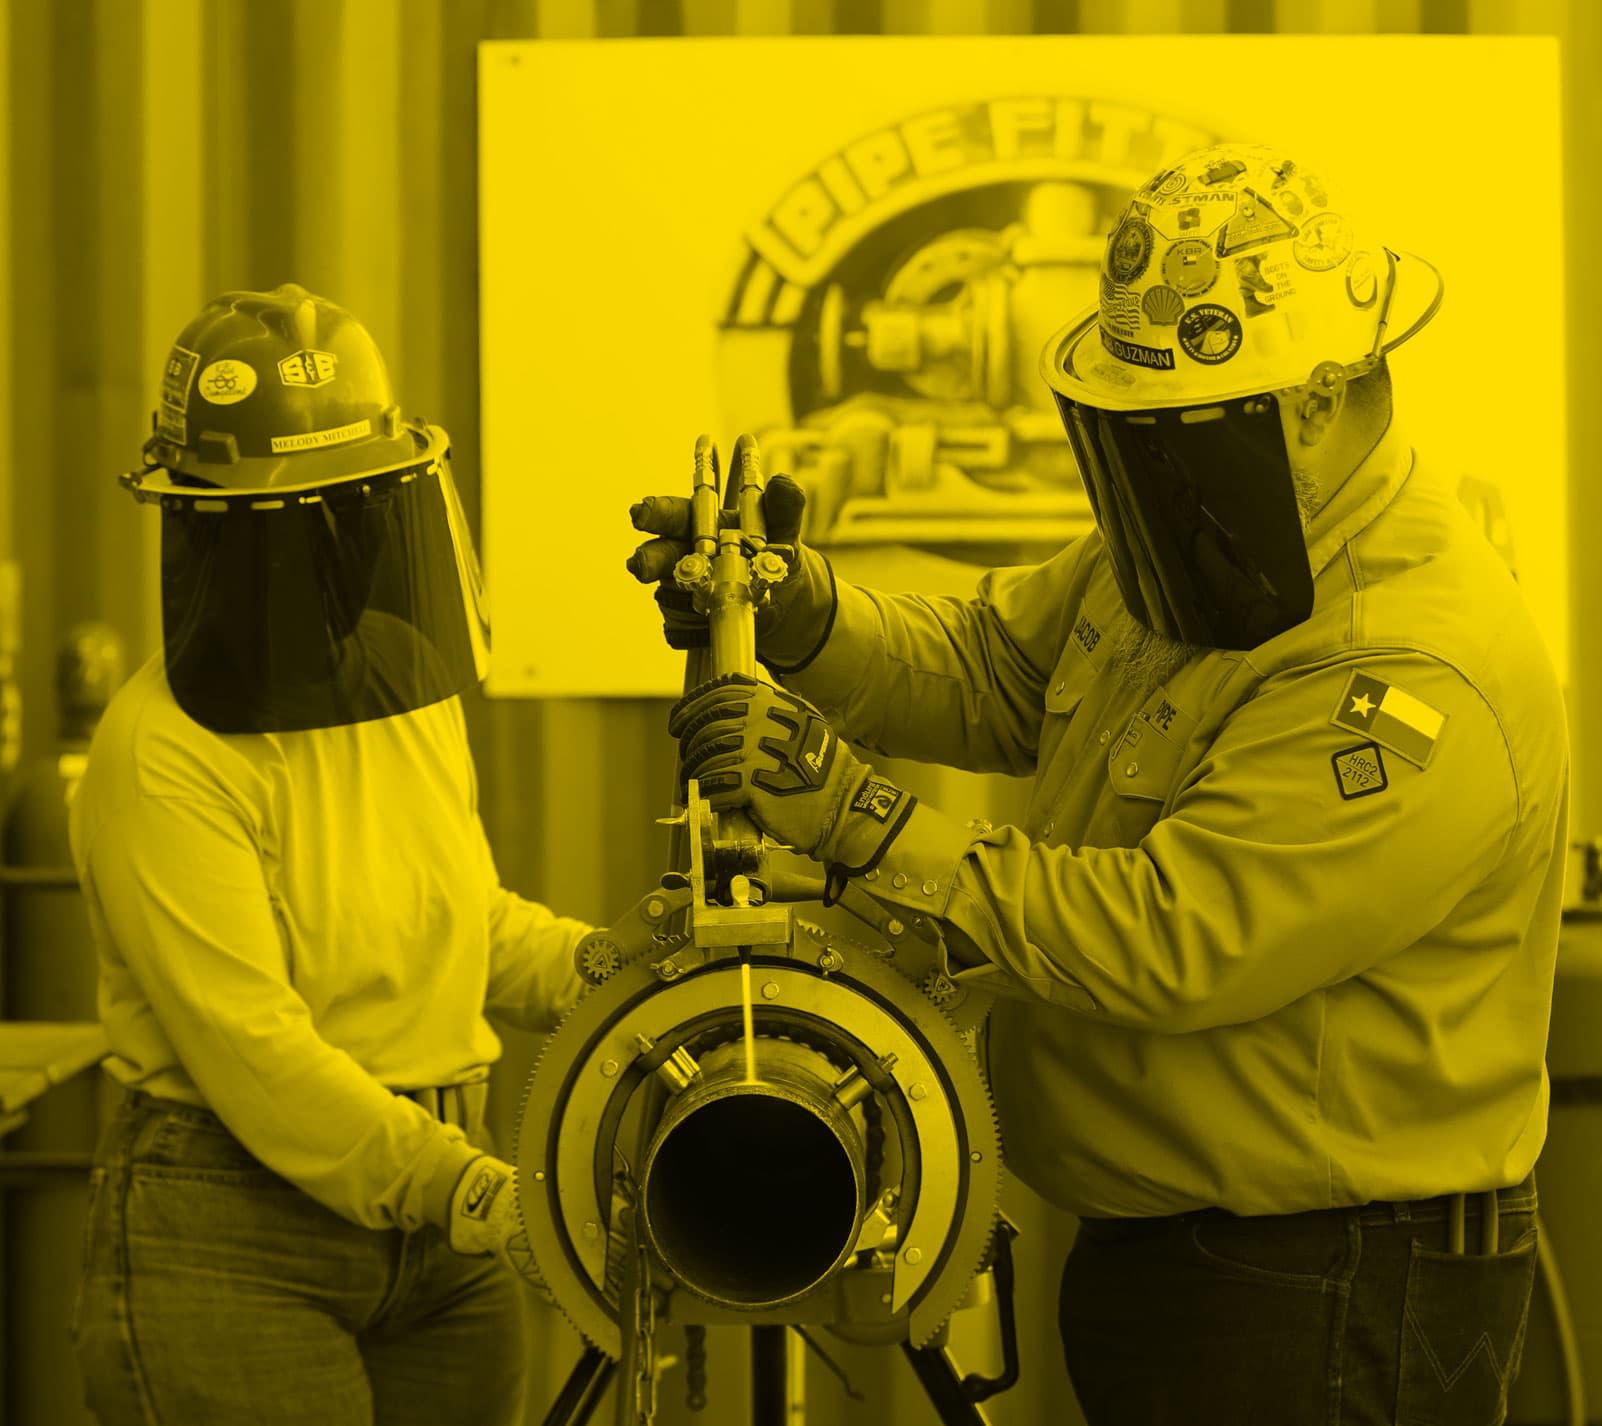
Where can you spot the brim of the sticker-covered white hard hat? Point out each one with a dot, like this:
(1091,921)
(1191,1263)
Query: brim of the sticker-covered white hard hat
(1079,368)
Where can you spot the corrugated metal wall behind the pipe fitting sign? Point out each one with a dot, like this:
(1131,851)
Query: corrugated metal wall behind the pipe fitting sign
(158,151)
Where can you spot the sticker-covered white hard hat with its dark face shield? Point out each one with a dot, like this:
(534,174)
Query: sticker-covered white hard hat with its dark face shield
(1233,288)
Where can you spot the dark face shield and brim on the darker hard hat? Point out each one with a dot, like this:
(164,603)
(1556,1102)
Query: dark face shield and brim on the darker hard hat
(320,606)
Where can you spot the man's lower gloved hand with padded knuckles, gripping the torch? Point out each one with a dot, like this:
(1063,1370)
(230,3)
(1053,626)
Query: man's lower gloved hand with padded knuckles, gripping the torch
(765,749)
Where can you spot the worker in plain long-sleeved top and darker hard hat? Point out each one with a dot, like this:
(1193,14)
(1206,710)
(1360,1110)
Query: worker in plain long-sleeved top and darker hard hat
(297,1212)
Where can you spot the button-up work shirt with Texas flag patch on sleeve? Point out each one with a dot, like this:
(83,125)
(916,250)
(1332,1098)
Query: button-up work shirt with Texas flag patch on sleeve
(1287,925)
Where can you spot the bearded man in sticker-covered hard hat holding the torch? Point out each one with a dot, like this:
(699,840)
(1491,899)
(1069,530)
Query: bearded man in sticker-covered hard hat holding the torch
(1282,914)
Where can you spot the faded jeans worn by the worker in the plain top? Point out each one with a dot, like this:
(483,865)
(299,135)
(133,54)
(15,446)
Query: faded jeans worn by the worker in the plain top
(217,1292)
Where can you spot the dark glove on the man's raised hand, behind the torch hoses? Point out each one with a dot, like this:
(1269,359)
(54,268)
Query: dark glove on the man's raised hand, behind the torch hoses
(797,608)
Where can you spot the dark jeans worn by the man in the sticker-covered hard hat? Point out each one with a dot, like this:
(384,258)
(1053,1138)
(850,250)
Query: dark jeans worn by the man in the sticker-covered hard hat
(1338,1318)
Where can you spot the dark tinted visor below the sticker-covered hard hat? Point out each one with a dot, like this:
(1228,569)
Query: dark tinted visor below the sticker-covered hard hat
(1199,514)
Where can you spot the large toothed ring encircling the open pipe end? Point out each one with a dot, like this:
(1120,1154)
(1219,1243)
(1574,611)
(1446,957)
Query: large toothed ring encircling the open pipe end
(576,1098)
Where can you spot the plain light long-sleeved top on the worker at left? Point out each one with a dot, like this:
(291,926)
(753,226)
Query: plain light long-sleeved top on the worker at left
(294,925)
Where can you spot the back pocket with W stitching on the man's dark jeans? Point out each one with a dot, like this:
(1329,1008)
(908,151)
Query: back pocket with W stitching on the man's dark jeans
(1463,1323)
